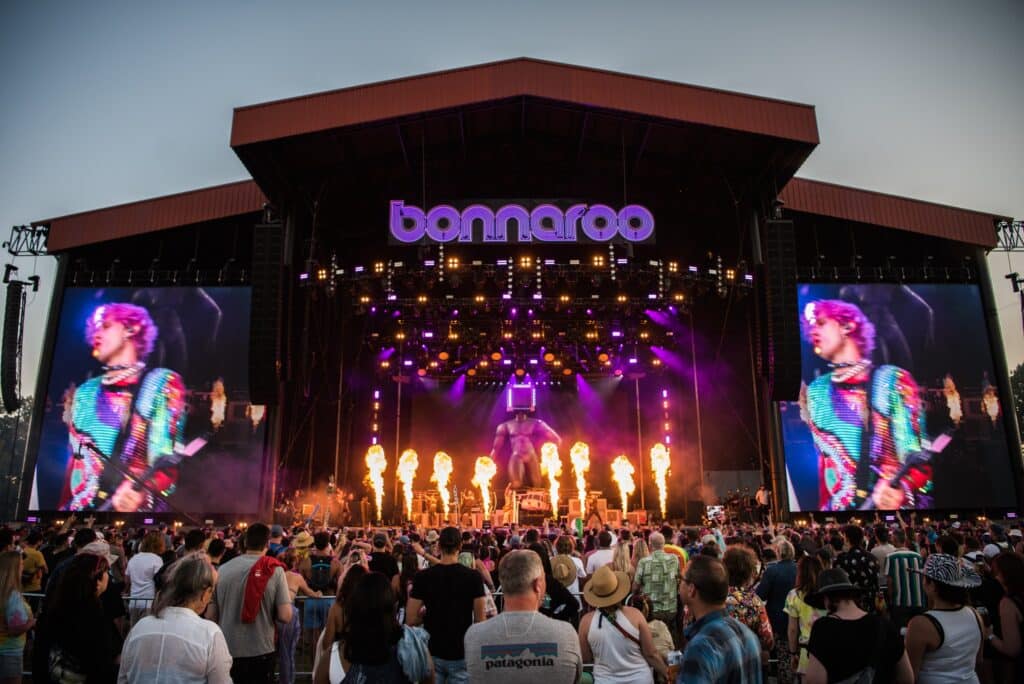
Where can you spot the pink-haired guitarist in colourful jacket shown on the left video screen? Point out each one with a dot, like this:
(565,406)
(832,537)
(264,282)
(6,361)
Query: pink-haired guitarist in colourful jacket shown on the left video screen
(124,421)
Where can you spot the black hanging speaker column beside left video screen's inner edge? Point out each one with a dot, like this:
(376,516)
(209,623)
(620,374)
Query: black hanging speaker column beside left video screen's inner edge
(265,321)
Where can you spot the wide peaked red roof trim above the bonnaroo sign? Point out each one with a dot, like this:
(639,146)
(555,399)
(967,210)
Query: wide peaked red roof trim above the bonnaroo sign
(500,80)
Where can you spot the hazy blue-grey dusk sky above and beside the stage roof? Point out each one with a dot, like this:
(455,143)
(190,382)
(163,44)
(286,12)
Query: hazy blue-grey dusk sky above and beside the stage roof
(108,103)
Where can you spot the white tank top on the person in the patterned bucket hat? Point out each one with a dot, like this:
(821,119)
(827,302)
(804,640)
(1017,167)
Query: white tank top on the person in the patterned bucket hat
(955,659)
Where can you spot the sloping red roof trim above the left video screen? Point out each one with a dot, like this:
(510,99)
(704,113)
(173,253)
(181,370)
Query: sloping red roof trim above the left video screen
(157,215)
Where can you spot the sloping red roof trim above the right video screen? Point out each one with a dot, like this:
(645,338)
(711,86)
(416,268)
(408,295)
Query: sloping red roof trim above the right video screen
(816,197)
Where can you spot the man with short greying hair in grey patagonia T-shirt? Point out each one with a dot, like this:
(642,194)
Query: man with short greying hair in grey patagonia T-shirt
(521,646)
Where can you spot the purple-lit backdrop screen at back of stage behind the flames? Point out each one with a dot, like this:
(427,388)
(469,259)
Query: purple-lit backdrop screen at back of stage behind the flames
(470,421)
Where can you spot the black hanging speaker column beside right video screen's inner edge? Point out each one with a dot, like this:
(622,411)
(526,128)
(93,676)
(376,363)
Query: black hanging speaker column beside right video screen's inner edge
(782,324)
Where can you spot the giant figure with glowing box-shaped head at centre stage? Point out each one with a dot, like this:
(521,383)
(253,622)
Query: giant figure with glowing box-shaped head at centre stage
(523,433)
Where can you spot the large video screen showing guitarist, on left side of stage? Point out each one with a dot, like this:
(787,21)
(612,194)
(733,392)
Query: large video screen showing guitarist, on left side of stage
(147,407)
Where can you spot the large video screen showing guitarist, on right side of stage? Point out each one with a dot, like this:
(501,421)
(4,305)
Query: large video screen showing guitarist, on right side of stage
(919,356)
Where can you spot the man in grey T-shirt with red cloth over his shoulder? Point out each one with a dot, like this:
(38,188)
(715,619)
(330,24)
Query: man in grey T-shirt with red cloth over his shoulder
(251,644)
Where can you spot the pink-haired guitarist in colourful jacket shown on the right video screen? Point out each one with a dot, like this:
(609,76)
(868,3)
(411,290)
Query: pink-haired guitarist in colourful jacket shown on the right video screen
(862,449)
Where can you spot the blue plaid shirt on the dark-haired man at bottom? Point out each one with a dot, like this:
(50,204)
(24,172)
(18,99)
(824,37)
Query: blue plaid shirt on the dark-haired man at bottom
(720,650)
